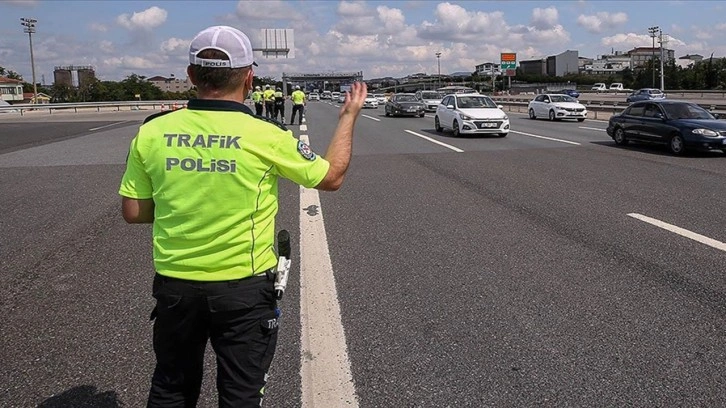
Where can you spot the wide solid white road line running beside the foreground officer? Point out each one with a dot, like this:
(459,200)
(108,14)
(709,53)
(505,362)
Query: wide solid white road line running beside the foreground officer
(327,380)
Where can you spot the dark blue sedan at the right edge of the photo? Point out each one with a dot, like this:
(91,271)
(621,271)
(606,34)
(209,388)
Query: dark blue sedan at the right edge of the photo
(678,124)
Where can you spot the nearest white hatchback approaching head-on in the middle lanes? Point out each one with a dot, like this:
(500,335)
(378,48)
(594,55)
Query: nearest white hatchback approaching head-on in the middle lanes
(471,114)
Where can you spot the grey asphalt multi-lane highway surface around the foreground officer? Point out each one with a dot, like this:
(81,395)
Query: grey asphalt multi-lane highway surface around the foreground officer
(548,268)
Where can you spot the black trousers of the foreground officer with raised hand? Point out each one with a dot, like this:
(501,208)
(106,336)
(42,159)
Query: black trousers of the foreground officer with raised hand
(238,317)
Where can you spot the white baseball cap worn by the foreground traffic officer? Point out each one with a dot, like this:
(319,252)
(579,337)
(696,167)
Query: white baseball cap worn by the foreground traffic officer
(229,40)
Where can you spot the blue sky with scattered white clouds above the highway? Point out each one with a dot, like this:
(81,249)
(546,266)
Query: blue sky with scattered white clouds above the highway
(380,38)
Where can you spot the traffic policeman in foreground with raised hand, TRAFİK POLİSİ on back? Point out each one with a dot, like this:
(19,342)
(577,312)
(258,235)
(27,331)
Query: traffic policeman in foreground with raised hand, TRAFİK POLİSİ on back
(209,186)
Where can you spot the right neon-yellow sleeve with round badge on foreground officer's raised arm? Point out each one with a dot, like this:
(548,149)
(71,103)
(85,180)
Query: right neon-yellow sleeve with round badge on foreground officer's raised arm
(296,161)
